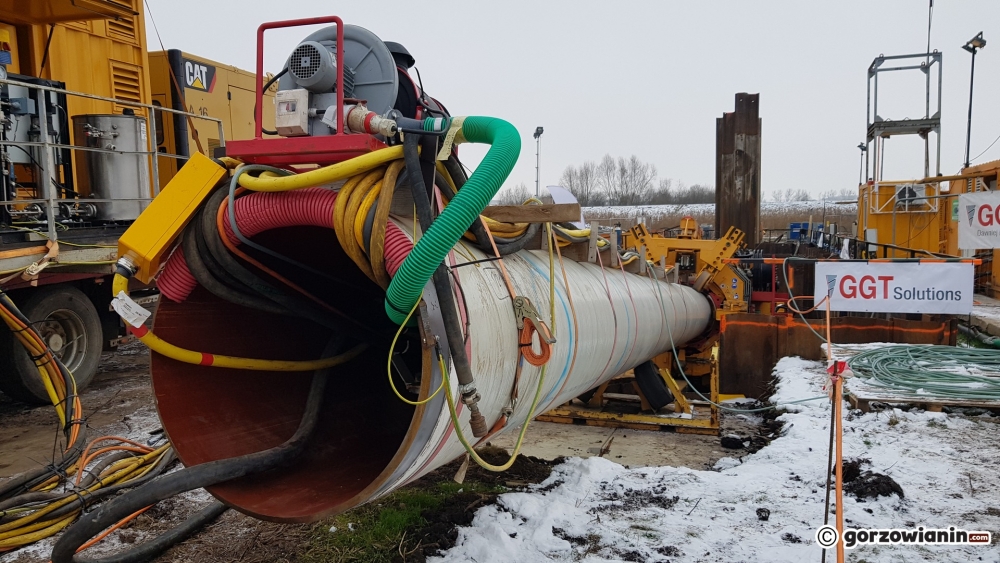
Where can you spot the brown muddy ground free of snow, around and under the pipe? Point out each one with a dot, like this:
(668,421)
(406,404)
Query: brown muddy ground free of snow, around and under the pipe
(120,402)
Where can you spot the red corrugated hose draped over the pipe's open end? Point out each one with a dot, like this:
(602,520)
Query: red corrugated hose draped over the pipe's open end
(263,211)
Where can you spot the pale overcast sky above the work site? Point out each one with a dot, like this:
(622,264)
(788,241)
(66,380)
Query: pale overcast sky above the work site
(649,78)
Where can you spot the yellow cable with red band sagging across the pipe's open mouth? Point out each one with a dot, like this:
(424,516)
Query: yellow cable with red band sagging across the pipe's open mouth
(160,346)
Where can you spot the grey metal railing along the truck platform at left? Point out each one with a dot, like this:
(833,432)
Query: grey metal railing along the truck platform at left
(47,186)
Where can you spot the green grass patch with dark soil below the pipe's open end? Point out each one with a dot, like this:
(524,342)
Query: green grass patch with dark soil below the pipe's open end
(375,532)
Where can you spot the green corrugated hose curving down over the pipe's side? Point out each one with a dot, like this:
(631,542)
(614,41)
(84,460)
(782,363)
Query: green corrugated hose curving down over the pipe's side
(464,208)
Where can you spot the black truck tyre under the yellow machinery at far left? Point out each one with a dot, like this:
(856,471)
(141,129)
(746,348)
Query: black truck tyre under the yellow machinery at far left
(68,322)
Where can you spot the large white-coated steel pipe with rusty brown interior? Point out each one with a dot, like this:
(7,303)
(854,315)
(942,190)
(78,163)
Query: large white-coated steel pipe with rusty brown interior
(369,442)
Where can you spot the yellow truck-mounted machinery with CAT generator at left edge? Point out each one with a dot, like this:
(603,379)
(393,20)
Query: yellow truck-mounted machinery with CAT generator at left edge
(85,50)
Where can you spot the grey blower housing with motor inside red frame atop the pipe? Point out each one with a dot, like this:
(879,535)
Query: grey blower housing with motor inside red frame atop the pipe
(369,73)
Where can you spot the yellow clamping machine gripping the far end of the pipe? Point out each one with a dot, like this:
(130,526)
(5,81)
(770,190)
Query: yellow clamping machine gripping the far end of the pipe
(702,265)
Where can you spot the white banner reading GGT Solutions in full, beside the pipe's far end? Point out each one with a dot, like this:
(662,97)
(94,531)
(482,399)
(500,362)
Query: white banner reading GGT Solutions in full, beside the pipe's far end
(896,287)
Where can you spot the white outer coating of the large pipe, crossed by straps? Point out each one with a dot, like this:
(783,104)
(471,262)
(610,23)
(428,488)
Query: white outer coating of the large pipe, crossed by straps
(614,322)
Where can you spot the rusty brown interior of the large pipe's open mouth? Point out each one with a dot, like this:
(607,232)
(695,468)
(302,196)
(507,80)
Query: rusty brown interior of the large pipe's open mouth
(214,413)
